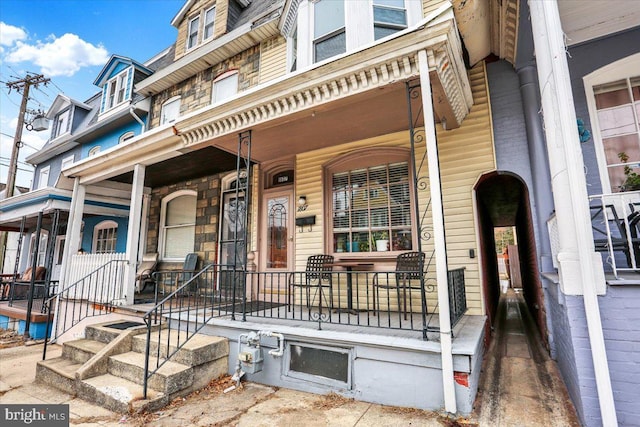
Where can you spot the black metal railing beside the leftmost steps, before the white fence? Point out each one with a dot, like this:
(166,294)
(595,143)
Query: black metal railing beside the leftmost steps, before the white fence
(91,296)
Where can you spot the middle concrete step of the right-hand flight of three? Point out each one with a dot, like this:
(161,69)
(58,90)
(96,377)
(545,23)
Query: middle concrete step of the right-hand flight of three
(170,378)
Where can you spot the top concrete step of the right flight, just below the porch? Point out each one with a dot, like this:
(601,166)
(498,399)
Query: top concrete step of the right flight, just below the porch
(198,349)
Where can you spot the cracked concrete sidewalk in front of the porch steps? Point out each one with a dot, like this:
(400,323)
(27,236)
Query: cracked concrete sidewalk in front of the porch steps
(252,406)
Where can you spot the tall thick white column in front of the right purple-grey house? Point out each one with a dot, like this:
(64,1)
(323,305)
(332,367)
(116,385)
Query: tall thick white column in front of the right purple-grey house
(580,267)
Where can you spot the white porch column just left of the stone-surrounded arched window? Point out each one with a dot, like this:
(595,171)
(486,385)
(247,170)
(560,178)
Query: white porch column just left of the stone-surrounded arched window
(133,231)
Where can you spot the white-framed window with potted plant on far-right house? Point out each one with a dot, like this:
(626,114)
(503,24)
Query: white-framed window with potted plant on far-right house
(613,97)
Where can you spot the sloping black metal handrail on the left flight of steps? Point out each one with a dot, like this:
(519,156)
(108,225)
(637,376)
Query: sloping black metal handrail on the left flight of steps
(96,310)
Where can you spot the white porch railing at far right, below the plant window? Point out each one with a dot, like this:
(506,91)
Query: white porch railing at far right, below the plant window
(615,222)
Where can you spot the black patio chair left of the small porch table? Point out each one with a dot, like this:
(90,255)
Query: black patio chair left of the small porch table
(317,276)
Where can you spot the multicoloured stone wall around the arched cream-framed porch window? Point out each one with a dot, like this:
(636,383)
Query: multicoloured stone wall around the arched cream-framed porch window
(207,213)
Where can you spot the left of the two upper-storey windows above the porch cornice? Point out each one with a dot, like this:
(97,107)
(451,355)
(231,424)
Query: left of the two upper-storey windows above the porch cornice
(329,35)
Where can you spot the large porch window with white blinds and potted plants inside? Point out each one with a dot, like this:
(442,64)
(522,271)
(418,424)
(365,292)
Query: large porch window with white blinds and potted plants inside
(371,209)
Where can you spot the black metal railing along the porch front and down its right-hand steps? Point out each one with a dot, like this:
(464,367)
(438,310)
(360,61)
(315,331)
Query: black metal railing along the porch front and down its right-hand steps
(363,299)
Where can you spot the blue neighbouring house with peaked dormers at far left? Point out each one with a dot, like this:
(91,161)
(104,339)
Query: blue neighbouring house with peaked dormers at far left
(39,217)
